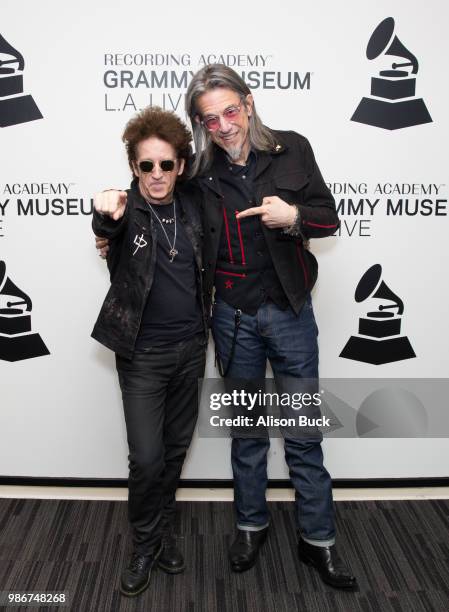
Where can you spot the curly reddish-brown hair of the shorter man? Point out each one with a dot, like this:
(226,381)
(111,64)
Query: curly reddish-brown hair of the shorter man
(162,124)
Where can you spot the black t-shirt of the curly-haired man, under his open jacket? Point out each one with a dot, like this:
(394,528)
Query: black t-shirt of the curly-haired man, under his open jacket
(172,312)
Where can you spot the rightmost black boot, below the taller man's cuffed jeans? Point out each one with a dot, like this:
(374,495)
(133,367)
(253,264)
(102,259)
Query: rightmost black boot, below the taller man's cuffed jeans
(328,564)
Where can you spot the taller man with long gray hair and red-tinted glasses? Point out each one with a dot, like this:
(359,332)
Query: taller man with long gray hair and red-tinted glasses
(264,198)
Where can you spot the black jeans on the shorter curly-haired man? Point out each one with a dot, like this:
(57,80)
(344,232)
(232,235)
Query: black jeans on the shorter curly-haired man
(160,400)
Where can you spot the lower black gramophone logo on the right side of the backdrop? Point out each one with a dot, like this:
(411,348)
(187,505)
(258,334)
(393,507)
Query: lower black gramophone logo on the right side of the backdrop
(379,339)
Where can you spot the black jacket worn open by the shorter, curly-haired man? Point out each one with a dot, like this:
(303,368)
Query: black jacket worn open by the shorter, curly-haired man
(132,268)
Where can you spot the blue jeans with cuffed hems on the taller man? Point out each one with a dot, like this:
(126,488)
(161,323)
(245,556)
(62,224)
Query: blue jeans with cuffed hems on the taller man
(290,344)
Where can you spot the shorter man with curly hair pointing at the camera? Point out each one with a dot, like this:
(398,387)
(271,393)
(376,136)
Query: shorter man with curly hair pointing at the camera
(153,319)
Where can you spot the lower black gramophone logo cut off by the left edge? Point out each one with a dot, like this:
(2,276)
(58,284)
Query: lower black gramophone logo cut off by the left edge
(17,341)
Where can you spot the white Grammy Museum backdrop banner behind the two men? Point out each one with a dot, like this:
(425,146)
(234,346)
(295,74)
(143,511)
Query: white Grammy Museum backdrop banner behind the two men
(367,85)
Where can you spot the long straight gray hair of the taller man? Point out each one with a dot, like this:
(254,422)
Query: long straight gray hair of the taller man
(211,77)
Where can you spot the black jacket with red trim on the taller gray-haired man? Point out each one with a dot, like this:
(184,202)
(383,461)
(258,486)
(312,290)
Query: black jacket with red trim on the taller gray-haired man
(290,172)
